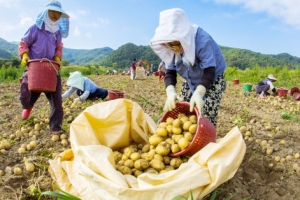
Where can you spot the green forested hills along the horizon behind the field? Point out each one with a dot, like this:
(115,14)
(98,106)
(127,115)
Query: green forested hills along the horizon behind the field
(122,57)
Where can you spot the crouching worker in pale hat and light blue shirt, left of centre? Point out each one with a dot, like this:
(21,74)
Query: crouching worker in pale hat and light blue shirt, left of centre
(85,88)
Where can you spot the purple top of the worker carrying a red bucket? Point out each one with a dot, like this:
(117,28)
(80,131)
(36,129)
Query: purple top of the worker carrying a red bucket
(41,43)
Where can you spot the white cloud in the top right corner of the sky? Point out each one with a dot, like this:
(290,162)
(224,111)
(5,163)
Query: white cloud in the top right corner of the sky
(285,10)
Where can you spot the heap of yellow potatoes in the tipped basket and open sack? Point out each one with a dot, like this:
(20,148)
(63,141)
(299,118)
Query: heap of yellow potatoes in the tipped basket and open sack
(171,136)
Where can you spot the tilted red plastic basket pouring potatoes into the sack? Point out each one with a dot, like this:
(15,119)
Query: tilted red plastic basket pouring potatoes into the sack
(205,132)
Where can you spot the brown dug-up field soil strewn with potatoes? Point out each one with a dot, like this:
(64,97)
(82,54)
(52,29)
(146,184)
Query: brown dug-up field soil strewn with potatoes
(259,176)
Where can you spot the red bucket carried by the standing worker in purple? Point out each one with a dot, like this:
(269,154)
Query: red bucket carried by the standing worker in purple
(42,75)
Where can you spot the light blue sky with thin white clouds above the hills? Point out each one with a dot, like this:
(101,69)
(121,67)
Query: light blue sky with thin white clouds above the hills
(263,26)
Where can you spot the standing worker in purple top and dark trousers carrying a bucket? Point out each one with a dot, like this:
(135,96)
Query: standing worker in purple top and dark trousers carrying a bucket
(44,40)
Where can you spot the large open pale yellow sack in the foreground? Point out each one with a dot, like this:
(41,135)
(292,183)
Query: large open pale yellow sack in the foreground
(87,170)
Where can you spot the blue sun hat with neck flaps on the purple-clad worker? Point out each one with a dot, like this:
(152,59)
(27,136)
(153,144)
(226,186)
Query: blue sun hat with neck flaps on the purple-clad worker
(63,21)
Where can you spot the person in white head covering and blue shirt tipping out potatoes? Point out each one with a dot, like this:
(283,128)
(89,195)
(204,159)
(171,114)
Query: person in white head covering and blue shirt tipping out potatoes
(192,53)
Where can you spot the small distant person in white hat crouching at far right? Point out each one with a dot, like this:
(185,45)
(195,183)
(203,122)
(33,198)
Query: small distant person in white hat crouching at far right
(263,86)
